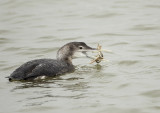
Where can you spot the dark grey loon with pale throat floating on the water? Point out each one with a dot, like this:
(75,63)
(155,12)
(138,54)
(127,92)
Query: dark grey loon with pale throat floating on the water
(52,67)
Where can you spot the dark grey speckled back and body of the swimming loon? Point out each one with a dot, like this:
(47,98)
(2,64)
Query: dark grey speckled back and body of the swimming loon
(41,67)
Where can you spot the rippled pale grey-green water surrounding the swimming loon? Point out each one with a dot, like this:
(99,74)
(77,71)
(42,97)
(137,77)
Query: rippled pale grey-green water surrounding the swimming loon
(128,83)
